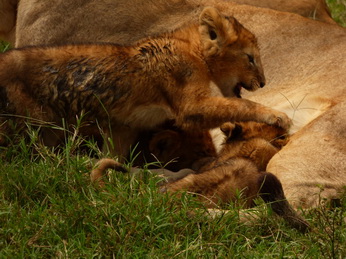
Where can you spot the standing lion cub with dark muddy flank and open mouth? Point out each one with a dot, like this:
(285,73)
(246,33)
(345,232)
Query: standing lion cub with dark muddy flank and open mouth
(182,75)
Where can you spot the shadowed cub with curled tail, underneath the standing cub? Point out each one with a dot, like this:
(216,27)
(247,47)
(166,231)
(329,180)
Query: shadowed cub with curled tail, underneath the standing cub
(166,151)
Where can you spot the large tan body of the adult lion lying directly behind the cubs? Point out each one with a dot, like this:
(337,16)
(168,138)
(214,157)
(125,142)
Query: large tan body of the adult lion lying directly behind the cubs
(303,60)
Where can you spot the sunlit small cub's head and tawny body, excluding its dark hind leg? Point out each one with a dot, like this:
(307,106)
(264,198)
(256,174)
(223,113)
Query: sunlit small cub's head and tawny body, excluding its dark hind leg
(246,150)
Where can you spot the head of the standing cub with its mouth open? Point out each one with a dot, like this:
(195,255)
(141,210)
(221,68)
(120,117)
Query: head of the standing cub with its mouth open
(231,53)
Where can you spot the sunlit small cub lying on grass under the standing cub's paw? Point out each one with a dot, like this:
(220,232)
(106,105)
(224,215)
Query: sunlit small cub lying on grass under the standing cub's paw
(240,166)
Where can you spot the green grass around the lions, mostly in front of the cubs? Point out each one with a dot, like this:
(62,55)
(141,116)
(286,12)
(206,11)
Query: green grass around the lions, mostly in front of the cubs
(49,208)
